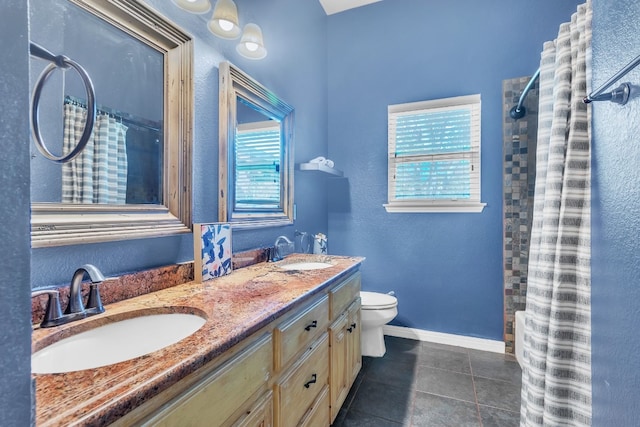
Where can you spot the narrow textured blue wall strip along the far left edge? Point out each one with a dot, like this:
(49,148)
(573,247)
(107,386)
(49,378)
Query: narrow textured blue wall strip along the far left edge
(15,305)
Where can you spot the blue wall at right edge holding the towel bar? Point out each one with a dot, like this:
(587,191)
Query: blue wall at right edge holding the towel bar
(615,293)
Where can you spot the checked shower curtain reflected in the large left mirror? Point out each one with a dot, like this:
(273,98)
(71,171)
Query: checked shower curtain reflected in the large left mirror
(99,173)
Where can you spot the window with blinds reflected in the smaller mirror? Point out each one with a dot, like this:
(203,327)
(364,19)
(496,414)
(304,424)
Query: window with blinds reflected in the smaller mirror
(257,160)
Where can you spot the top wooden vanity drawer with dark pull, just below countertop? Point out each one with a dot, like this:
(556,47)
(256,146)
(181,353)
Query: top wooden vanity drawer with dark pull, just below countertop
(296,335)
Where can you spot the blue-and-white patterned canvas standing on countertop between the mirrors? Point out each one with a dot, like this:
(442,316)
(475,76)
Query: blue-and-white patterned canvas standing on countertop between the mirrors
(212,256)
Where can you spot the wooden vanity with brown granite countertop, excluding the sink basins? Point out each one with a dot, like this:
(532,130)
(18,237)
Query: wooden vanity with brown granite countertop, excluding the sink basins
(279,347)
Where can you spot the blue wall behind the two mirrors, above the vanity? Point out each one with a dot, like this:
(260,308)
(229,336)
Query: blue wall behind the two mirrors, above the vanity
(295,69)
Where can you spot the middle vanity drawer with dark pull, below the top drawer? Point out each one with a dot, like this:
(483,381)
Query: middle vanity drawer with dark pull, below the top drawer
(299,387)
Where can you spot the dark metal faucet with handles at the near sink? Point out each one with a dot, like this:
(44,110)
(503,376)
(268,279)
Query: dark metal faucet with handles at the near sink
(76,309)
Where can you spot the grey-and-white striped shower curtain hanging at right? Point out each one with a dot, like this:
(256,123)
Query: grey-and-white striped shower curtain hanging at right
(556,377)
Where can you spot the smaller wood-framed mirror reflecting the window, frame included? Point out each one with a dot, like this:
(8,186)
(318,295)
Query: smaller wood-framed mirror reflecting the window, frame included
(255,153)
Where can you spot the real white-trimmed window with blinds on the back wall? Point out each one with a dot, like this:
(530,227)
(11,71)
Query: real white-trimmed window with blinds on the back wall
(434,156)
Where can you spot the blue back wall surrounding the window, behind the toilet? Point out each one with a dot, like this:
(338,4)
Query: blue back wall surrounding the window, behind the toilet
(446,269)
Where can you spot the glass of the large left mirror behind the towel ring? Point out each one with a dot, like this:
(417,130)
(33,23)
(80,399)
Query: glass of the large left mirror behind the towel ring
(122,163)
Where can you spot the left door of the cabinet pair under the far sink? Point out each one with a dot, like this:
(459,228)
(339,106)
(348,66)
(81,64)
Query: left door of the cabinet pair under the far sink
(340,374)
